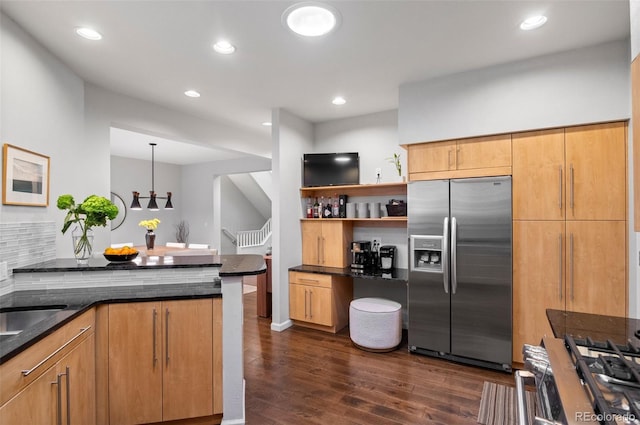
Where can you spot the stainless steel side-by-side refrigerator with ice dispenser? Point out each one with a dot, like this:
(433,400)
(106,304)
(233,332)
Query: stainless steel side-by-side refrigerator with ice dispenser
(460,286)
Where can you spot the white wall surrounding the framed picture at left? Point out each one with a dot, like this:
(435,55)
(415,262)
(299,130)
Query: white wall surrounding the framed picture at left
(42,110)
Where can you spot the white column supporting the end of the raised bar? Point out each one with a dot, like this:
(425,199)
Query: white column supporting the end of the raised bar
(232,351)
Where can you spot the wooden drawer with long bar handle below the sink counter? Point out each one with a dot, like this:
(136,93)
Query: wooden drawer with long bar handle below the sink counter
(44,354)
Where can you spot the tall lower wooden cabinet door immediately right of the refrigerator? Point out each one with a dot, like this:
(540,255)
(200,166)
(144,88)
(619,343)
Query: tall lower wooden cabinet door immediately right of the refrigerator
(538,279)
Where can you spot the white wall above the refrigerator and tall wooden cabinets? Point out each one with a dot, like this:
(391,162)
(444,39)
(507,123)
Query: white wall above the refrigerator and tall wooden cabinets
(580,86)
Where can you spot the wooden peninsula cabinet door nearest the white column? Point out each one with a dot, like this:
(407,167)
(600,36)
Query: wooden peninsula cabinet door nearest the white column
(188,359)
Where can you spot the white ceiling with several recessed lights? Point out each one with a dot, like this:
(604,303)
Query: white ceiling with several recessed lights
(155,50)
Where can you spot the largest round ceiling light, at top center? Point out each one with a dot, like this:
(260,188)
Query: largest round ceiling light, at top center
(311,19)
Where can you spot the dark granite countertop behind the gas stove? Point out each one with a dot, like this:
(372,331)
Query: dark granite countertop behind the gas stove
(595,326)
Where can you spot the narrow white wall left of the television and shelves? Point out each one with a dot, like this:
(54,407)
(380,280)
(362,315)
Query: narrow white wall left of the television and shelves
(292,136)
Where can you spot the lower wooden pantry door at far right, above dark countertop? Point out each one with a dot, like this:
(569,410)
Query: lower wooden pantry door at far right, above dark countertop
(596,267)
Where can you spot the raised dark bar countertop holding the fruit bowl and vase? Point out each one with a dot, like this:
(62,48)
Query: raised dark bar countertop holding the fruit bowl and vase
(230,265)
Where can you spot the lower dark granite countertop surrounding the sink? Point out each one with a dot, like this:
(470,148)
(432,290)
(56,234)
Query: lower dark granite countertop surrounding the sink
(74,301)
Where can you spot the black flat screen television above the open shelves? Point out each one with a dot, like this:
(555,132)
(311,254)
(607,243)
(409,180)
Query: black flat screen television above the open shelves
(330,169)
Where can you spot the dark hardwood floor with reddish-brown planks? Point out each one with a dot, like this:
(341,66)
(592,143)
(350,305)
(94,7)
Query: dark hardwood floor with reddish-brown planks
(304,376)
